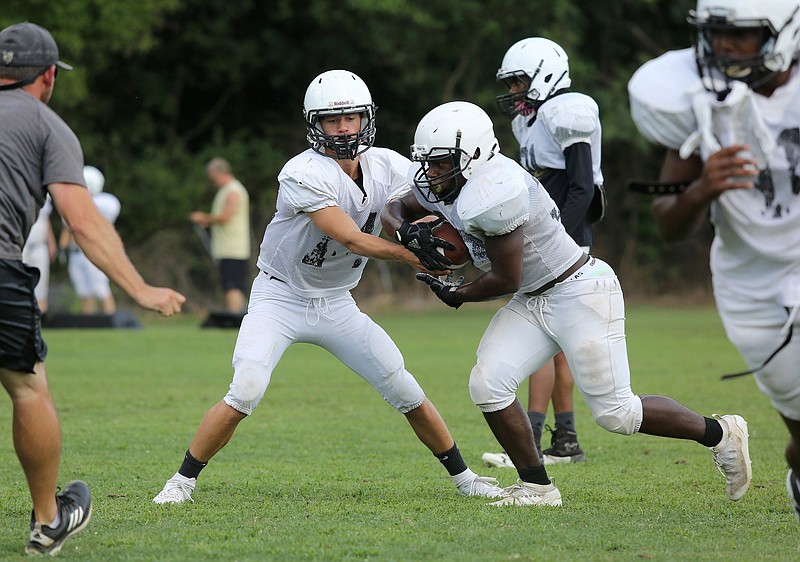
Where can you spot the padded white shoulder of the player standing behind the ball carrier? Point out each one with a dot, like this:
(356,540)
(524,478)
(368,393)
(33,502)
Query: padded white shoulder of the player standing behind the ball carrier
(570,118)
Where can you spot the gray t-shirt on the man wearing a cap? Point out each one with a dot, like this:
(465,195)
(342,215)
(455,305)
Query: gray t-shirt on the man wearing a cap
(36,149)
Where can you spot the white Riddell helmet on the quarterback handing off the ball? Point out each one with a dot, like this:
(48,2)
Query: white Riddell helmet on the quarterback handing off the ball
(339,92)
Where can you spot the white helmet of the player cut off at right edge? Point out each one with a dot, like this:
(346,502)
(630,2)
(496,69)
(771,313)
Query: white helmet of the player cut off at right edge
(779,24)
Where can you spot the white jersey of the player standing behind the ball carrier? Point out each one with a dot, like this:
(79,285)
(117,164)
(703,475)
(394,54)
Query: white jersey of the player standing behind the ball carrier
(560,122)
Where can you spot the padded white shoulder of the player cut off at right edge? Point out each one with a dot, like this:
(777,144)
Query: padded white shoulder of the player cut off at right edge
(661,107)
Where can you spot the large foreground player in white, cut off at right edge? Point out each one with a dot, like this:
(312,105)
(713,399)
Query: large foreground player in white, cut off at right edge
(728,113)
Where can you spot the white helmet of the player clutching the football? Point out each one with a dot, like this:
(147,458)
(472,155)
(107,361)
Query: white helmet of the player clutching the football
(459,131)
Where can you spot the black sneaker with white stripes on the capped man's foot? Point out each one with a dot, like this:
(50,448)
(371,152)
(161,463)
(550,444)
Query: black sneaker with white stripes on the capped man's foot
(75,510)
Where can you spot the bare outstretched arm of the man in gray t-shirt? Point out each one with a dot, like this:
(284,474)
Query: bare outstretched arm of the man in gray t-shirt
(102,245)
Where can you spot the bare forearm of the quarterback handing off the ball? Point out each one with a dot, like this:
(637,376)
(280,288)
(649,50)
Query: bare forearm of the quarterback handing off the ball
(337,224)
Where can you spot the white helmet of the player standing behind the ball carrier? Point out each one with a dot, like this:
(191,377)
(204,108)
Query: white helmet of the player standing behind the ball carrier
(540,62)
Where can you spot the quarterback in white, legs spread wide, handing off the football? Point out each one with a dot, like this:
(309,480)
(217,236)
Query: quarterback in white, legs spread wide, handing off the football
(313,253)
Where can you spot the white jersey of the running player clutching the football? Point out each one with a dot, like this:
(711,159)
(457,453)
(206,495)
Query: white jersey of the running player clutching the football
(499,198)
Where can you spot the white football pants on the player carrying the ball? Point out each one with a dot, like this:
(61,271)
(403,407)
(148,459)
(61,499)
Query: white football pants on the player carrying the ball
(584,317)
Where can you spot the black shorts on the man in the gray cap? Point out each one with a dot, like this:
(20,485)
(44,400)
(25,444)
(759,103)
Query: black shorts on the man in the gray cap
(21,343)
